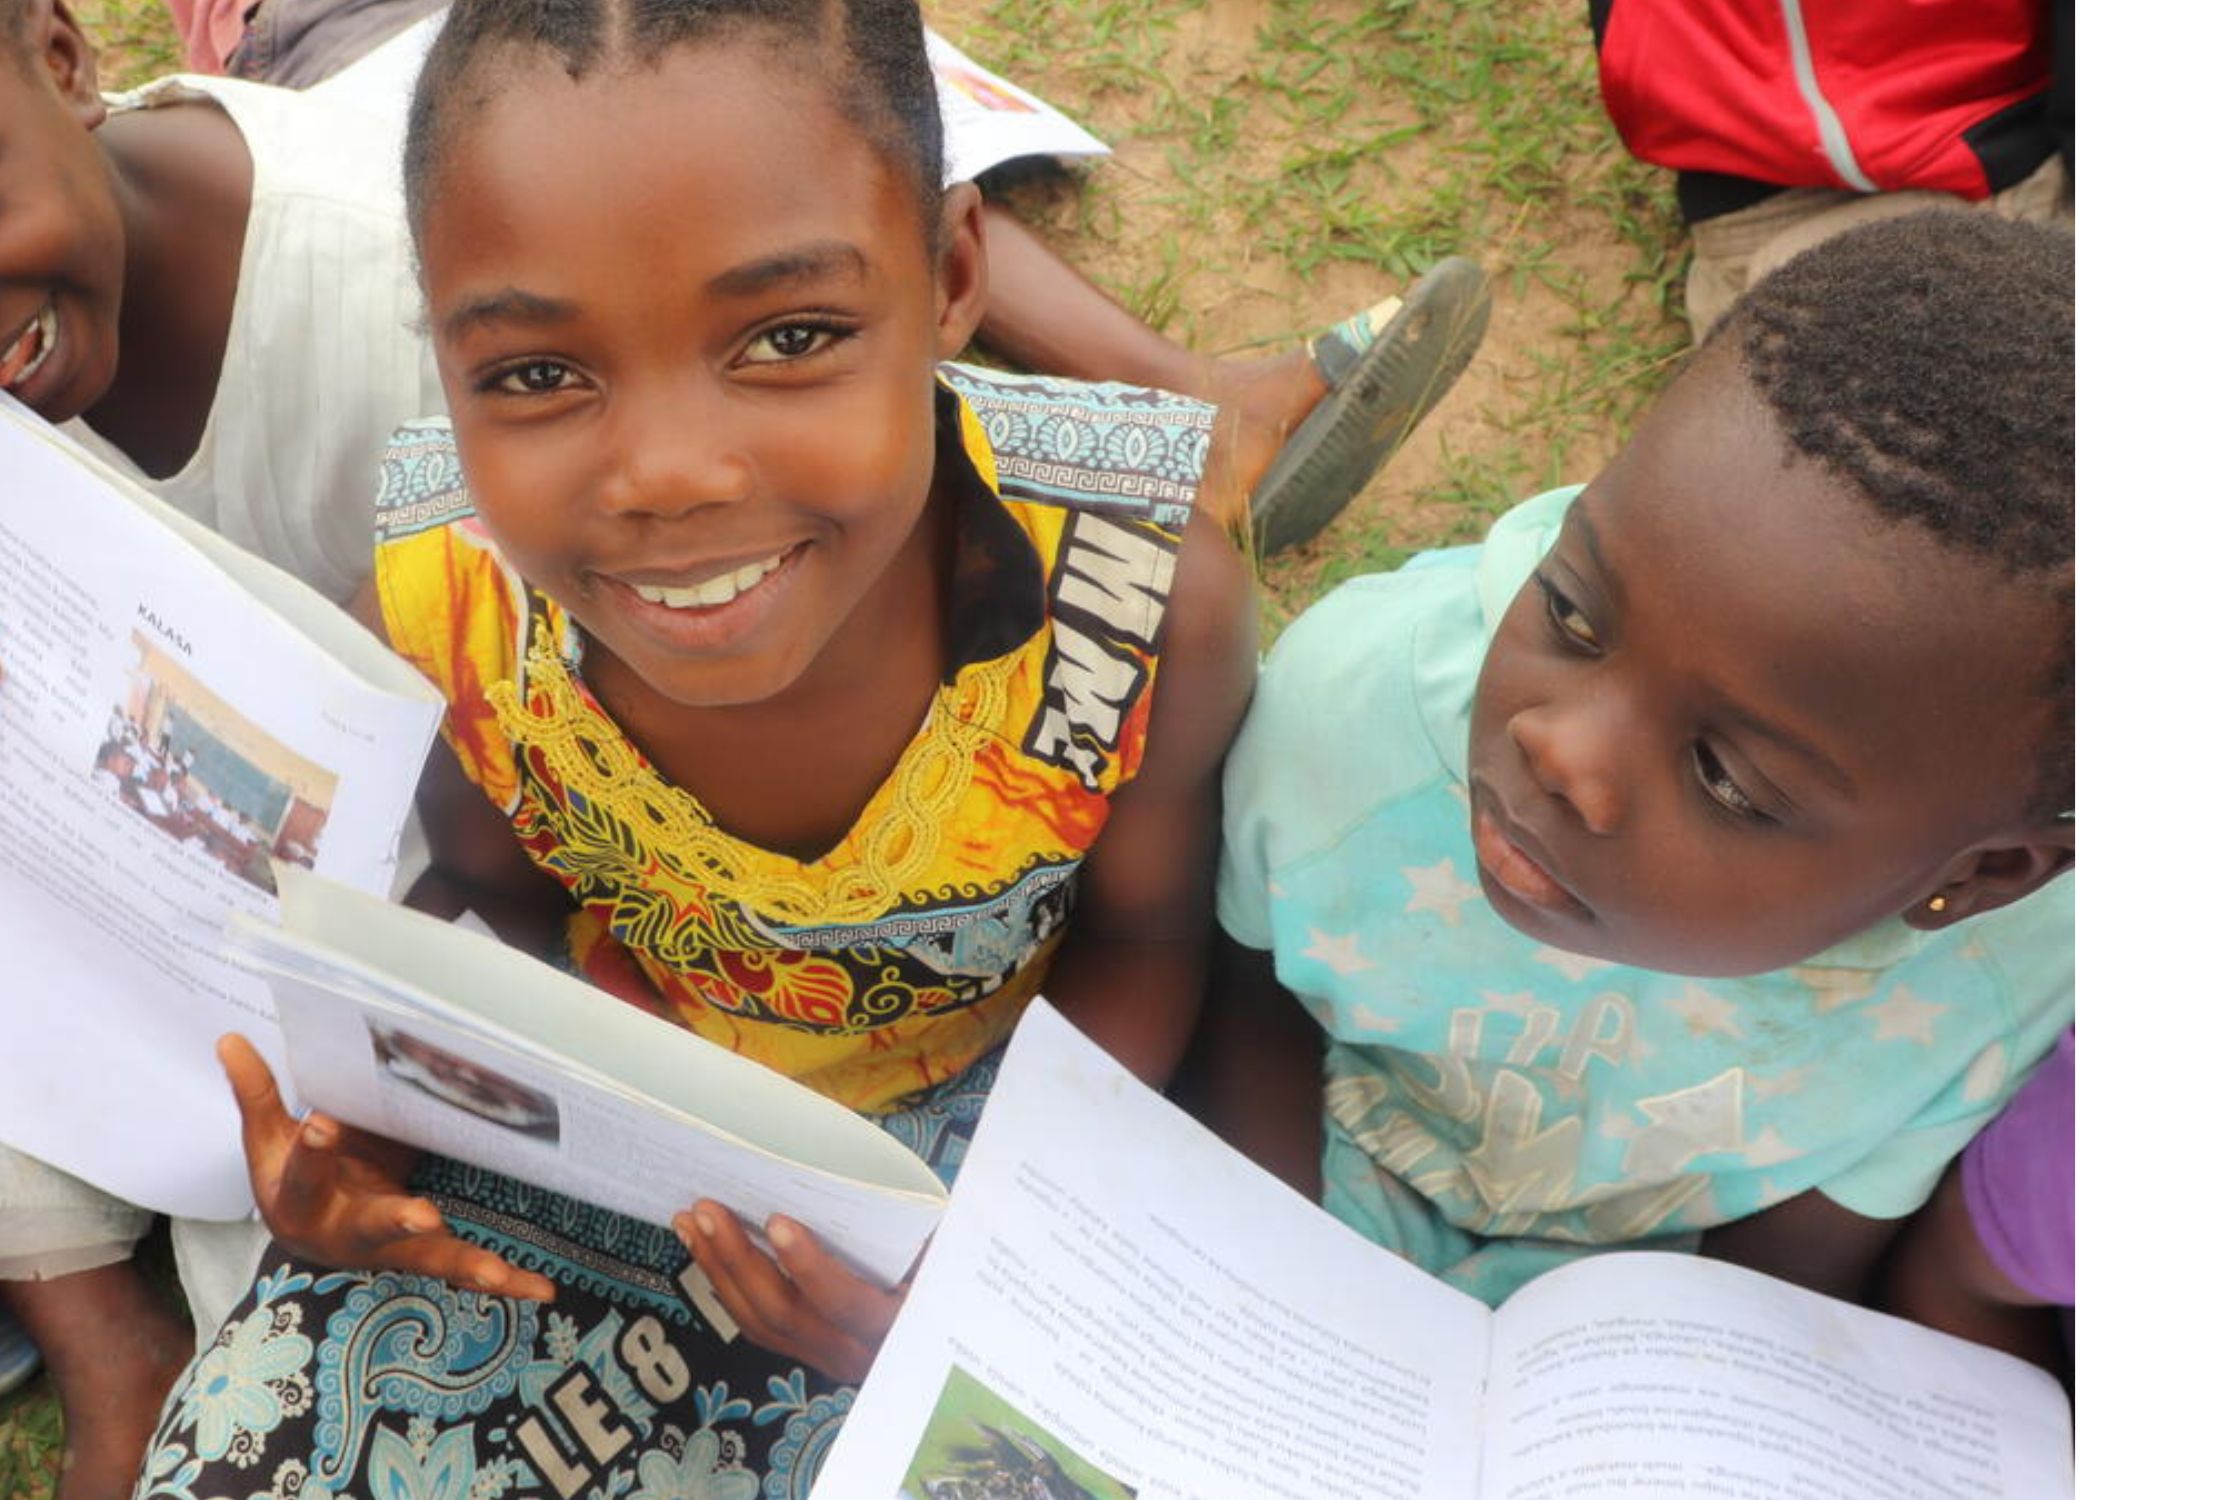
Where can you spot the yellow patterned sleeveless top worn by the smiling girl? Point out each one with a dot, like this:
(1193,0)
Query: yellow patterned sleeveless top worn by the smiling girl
(907,951)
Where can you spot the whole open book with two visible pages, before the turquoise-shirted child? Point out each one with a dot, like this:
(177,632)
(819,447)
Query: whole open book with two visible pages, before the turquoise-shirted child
(1120,1305)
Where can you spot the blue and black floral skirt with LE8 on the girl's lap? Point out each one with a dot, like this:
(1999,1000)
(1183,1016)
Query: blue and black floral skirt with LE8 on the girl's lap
(402,1388)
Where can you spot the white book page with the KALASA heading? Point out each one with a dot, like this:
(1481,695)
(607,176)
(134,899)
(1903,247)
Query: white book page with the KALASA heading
(168,740)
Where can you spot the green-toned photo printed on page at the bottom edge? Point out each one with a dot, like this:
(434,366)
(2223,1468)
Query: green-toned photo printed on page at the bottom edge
(985,1448)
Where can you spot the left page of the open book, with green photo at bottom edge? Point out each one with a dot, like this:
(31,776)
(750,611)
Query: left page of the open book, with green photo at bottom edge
(1120,1296)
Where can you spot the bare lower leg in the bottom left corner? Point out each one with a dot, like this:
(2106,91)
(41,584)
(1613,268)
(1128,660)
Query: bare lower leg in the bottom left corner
(112,1348)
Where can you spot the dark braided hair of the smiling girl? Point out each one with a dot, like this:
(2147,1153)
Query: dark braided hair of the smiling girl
(869,50)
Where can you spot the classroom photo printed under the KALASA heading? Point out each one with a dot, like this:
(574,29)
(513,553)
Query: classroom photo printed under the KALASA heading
(208,776)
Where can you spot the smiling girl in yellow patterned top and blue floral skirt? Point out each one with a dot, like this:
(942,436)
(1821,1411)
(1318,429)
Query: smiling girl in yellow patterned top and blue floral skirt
(811,693)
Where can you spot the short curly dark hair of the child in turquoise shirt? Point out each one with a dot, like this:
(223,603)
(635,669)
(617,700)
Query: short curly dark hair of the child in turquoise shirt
(1930,362)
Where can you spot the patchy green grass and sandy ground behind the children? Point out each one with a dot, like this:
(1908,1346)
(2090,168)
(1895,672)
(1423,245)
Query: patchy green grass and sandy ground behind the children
(1265,172)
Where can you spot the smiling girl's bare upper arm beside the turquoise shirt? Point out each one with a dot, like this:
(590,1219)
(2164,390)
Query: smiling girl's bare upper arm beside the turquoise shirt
(1134,967)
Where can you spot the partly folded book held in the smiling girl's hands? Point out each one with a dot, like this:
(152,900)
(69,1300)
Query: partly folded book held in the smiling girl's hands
(444,1038)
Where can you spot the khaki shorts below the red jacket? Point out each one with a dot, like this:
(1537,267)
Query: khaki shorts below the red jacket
(1734,250)
